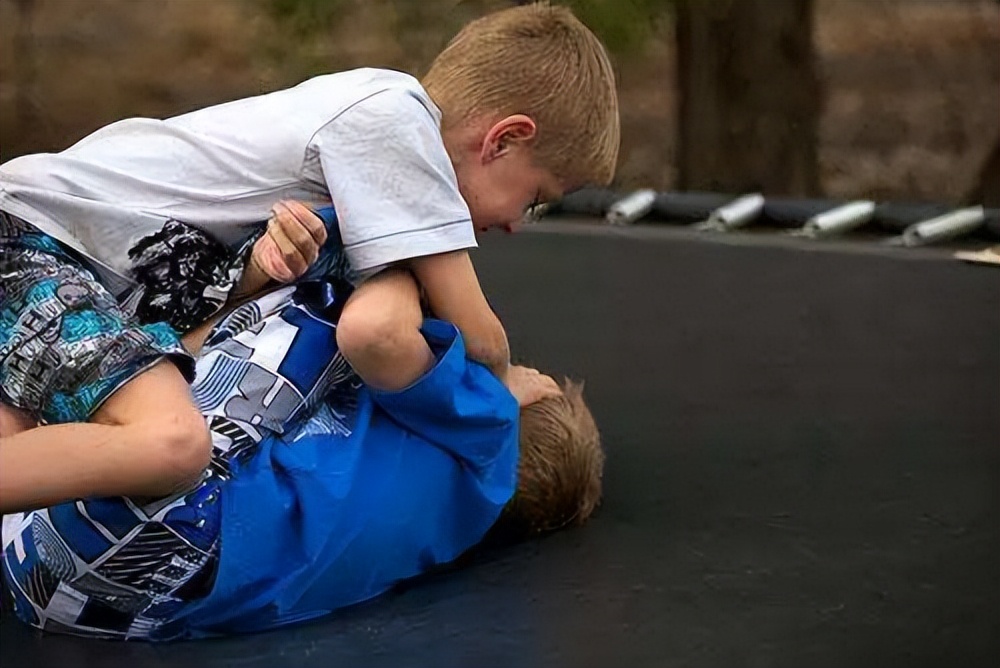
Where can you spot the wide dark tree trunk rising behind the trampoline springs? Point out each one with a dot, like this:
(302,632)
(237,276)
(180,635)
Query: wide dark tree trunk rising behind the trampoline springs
(749,96)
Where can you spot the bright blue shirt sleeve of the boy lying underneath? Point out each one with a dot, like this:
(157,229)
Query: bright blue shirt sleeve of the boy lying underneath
(458,405)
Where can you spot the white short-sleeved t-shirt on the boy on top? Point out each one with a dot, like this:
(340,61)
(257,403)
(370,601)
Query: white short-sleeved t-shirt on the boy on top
(367,140)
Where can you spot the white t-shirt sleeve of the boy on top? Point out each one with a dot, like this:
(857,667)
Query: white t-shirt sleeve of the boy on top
(391,181)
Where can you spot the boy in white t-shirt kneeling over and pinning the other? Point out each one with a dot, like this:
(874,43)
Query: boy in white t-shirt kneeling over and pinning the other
(518,109)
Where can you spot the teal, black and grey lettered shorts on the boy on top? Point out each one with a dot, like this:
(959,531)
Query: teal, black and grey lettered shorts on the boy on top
(66,344)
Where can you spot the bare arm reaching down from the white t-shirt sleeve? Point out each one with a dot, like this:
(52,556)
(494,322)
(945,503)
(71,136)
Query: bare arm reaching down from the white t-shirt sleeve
(452,290)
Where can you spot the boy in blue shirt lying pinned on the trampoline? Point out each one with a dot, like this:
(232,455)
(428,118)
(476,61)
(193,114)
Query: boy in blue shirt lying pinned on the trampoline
(321,492)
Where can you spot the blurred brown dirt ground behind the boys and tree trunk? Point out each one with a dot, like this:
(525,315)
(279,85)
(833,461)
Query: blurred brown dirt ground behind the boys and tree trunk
(912,87)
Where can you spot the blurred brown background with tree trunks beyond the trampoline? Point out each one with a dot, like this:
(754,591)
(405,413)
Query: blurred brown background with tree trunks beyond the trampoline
(882,99)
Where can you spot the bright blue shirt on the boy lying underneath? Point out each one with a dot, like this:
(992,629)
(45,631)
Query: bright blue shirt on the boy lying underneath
(314,521)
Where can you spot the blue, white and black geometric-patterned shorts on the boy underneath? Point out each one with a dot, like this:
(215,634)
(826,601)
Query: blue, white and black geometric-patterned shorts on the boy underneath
(124,568)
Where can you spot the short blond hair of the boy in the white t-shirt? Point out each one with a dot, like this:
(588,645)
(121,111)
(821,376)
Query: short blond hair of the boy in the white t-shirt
(541,61)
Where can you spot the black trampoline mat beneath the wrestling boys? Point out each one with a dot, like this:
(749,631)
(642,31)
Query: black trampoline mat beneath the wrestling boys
(803,470)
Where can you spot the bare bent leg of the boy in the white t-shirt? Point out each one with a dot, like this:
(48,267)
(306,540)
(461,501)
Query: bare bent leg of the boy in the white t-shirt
(147,439)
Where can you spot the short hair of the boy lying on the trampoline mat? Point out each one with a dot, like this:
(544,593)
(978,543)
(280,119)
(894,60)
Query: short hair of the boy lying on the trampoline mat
(560,467)
